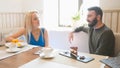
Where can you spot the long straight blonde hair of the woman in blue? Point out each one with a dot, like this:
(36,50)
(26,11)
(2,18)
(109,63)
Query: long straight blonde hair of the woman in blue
(28,24)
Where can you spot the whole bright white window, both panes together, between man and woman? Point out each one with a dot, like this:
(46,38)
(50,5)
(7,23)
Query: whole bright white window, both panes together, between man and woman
(59,12)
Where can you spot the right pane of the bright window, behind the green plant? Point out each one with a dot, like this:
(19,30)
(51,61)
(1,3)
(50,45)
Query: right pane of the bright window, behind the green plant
(67,9)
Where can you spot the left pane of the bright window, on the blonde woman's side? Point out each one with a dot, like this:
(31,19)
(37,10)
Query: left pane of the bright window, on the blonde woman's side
(50,13)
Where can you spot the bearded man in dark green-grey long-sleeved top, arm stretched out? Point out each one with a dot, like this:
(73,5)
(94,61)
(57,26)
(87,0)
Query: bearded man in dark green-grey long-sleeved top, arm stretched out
(101,38)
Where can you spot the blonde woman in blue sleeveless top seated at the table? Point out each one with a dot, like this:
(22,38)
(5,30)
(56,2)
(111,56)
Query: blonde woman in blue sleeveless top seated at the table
(34,34)
